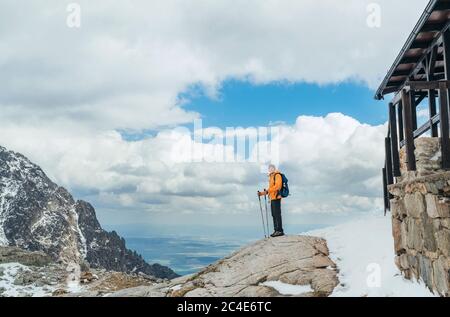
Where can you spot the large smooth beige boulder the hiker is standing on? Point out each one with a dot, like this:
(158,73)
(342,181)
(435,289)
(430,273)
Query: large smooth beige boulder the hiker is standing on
(293,260)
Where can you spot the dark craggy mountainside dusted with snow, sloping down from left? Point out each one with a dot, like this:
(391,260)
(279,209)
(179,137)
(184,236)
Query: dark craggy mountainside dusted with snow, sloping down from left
(38,215)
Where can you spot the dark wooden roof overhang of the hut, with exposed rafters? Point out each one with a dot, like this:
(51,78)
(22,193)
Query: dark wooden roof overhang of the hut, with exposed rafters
(426,36)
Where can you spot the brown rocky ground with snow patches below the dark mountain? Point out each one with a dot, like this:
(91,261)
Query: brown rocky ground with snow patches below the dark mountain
(25,274)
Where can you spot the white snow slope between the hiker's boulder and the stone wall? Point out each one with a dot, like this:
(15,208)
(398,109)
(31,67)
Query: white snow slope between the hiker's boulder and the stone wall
(363,251)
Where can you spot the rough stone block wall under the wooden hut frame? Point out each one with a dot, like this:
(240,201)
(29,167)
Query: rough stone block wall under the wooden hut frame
(421,218)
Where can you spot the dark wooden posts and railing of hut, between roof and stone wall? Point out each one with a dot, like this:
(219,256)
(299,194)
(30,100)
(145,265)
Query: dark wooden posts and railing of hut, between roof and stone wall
(403,127)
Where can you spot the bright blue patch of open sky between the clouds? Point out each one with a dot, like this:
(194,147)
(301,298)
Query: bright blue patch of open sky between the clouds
(245,104)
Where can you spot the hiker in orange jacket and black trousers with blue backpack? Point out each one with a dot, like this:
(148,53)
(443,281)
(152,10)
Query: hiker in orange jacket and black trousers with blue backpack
(278,189)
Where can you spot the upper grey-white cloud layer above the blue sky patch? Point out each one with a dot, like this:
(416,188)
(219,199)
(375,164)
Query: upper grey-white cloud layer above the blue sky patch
(127,64)
